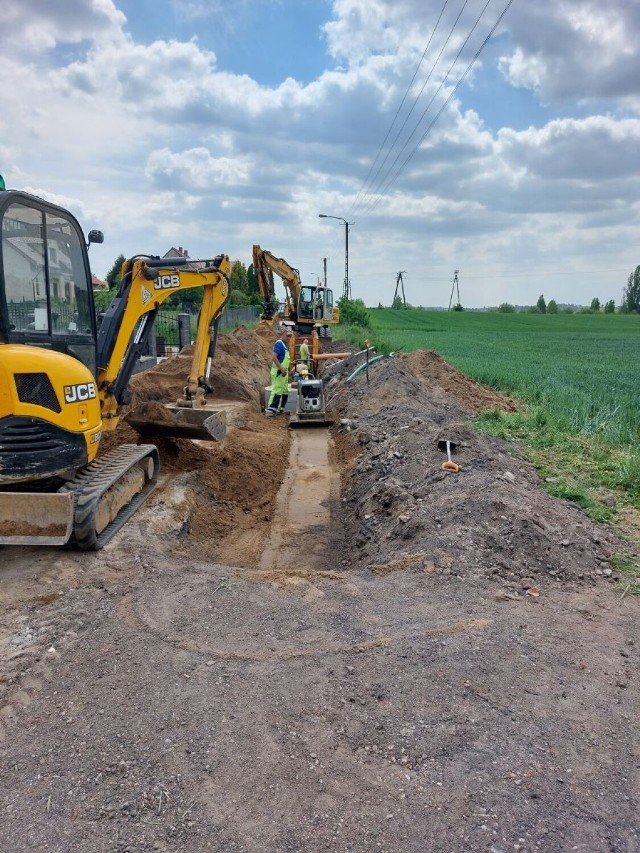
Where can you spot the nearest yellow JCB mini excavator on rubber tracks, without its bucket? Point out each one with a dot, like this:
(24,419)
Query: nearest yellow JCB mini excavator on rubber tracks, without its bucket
(63,382)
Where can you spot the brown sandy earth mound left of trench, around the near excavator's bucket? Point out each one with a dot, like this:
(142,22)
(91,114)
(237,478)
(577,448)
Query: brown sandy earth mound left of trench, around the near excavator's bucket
(231,486)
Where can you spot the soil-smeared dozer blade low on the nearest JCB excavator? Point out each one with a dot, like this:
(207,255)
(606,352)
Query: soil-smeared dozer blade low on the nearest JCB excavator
(35,518)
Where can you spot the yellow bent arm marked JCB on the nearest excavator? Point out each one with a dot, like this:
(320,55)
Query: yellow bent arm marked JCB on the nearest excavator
(145,284)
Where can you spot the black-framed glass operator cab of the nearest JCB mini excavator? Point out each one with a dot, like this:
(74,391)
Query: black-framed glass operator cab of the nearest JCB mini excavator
(46,298)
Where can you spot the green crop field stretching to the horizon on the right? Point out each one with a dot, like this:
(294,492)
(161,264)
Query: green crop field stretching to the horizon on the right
(582,369)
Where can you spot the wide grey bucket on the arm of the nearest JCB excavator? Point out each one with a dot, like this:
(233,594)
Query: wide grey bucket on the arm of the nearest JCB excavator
(154,420)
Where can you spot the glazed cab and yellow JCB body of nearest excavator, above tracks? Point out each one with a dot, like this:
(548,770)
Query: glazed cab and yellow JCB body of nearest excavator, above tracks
(50,419)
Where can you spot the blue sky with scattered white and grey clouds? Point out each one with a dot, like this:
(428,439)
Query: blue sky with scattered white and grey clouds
(499,139)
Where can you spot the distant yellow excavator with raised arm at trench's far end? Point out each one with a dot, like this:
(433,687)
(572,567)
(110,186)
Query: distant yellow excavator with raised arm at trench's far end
(305,308)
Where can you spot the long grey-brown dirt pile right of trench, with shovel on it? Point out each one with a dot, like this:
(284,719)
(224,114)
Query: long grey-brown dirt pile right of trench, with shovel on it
(492,519)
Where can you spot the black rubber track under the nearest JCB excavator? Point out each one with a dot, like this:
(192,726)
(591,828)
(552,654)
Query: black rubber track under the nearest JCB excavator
(89,485)
